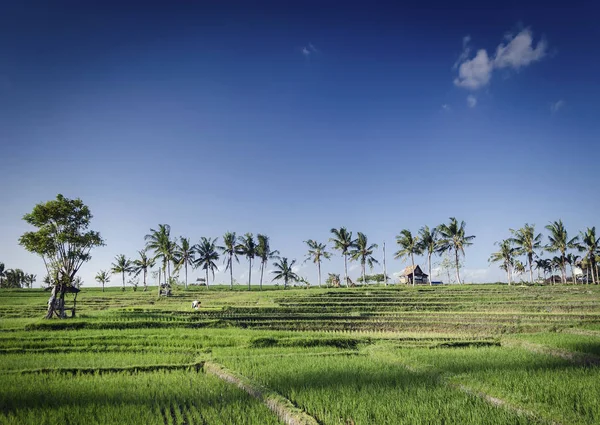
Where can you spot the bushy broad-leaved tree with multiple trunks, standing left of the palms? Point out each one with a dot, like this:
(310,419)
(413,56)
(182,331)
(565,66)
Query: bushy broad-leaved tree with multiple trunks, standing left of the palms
(63,241)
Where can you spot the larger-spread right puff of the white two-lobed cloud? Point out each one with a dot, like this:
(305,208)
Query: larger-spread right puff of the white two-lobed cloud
(519,51)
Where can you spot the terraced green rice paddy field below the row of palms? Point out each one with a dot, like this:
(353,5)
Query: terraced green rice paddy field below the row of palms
(470,354)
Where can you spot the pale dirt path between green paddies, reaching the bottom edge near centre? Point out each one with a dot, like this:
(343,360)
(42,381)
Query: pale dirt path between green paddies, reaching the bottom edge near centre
(281,406)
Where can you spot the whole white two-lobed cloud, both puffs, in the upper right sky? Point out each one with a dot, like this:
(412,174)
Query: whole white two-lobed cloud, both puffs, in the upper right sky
(518,52)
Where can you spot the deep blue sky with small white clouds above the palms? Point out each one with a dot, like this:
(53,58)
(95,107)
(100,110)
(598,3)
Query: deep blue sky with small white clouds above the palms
(292,119)
